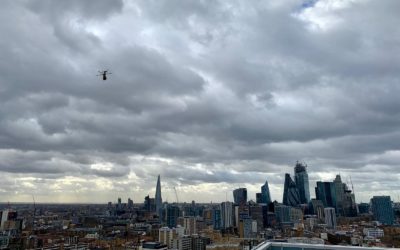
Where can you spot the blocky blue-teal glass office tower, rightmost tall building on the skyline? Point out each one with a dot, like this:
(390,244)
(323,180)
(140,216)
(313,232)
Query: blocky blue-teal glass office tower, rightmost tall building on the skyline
(382,209)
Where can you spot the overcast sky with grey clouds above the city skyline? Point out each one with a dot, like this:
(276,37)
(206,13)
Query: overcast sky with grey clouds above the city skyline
(211,95)
